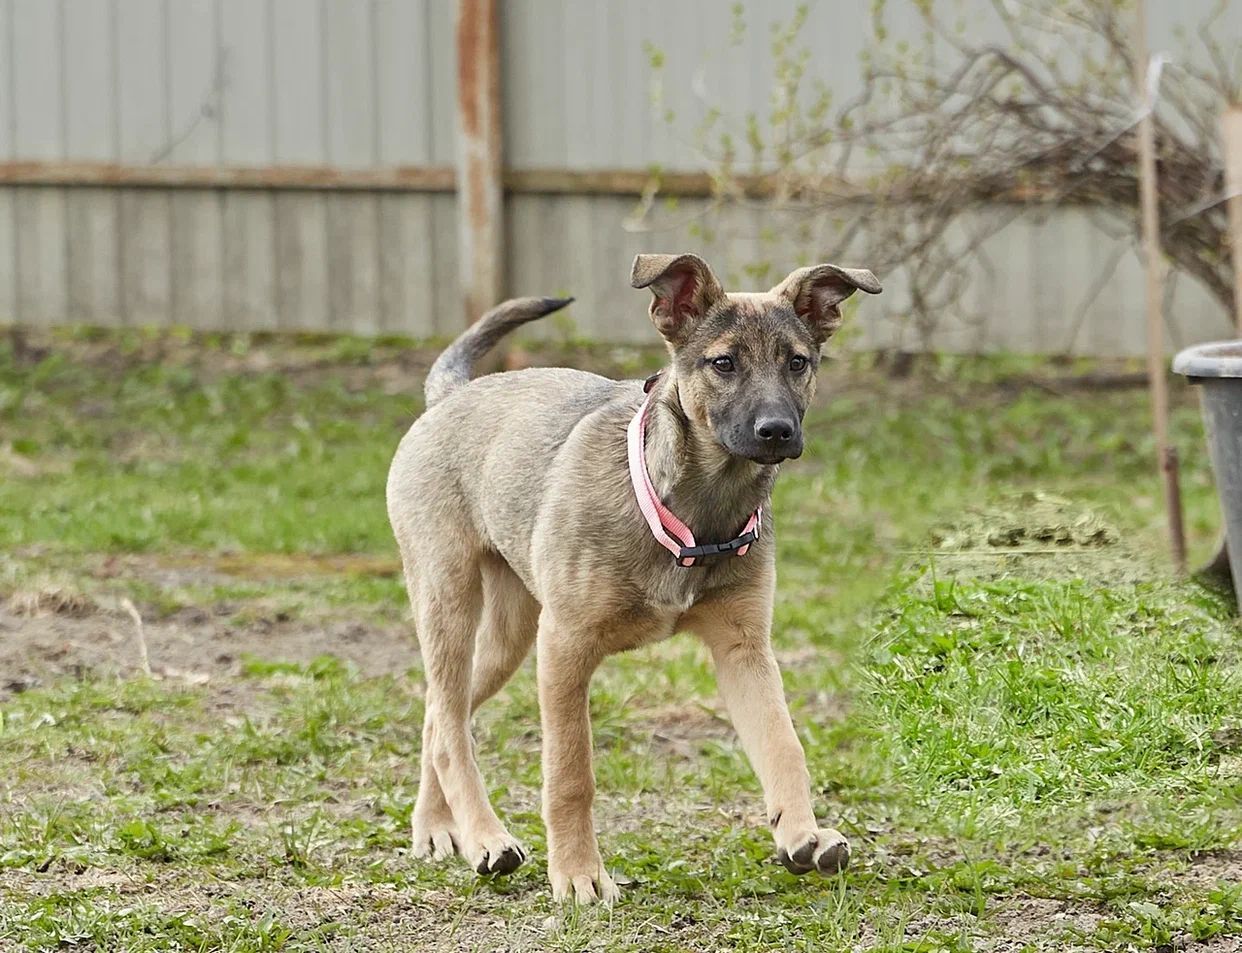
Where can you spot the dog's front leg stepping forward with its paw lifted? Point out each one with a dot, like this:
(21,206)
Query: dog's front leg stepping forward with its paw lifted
(738,634)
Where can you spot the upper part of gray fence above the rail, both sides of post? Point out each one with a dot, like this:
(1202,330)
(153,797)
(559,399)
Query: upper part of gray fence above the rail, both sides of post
(358,83)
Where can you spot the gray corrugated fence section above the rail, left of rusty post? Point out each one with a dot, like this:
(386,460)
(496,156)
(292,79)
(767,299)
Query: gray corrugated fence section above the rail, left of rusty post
(252,83)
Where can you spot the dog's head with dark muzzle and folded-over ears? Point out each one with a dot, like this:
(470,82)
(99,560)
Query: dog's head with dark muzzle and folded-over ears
(746,363)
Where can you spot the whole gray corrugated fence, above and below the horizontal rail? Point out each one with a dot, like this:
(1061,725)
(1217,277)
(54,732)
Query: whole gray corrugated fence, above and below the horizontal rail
(371,84)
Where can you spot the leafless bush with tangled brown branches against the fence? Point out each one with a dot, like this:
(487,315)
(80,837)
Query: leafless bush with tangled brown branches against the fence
(976,135)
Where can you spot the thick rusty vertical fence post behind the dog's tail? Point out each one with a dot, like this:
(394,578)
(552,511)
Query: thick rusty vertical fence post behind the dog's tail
(480,150)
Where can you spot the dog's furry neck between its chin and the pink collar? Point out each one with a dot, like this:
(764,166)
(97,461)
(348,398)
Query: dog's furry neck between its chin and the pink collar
(711,490)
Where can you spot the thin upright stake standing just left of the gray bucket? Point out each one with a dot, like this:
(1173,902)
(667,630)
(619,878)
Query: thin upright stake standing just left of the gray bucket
(1154,267)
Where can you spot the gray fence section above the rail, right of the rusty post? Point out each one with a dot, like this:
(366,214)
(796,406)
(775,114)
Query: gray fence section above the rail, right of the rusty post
(584,95)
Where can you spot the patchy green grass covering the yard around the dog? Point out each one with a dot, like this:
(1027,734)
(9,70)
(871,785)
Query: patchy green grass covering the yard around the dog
(1029,750)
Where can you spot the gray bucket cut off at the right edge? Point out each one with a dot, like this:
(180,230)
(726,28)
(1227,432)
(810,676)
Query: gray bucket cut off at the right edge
(1218,368)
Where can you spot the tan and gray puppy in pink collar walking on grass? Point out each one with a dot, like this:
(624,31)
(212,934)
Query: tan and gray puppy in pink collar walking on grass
(558,509)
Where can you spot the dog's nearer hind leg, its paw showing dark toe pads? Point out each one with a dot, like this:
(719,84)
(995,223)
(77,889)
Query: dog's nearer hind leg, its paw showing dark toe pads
(449,609)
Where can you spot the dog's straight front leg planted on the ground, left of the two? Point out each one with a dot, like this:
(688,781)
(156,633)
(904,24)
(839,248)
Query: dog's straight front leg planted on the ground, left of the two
(566,663)
